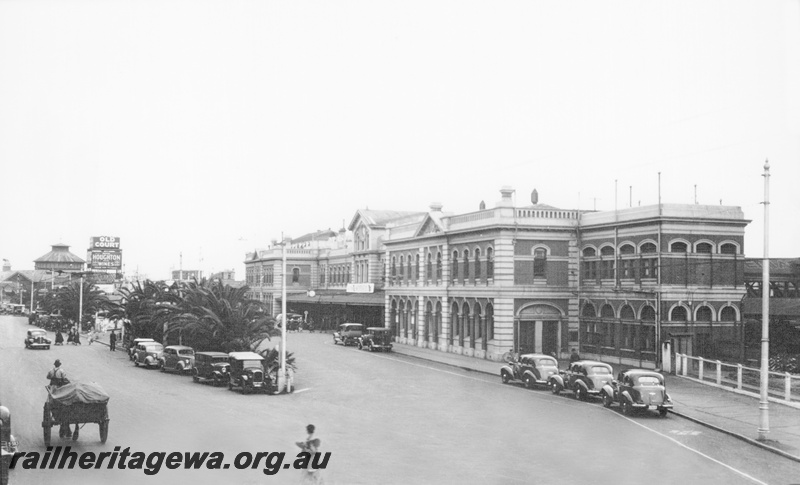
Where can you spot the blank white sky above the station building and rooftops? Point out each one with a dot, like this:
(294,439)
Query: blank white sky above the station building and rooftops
(209,127)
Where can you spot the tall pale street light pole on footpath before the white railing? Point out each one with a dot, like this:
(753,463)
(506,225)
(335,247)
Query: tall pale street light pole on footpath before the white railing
(763,406)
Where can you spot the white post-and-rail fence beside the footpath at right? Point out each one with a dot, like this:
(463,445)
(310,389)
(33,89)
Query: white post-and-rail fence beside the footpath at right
(782,386)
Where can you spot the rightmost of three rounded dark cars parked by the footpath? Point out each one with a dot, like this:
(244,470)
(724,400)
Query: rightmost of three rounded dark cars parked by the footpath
(638,389)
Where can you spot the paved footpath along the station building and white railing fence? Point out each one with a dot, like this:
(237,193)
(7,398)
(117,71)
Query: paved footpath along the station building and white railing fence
(728,412)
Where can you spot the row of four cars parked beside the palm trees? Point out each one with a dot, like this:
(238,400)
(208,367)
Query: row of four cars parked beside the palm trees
(240,370)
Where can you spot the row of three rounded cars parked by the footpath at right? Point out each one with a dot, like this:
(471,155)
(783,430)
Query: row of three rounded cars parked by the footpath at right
(633,389)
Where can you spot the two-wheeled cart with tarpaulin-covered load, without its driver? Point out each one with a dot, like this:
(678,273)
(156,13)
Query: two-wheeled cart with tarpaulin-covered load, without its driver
(76,403)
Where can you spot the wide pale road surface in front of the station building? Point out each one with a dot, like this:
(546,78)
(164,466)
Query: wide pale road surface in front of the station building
(385,418)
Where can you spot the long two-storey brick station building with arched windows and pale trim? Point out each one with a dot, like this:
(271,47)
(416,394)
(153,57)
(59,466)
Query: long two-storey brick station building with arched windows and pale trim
(625,286)
